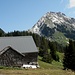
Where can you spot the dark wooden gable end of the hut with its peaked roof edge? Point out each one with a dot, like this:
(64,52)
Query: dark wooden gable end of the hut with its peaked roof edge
(11,57)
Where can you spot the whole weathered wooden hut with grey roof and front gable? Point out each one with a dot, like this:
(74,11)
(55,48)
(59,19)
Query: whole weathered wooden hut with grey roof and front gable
(16,51)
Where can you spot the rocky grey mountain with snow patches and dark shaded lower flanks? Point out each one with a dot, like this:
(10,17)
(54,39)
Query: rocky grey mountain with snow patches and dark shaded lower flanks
(53,22)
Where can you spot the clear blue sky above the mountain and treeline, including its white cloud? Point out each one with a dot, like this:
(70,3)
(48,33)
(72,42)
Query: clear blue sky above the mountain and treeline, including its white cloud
(23,14)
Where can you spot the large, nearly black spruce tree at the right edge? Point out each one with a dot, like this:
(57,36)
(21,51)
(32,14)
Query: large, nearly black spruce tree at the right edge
(69,56)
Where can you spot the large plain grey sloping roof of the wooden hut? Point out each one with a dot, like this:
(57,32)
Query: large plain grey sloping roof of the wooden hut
(23,44)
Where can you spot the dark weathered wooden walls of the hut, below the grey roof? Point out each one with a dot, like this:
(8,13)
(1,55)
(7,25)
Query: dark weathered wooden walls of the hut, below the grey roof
(13,58)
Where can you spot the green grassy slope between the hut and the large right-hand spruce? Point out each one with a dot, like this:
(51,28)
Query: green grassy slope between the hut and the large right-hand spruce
(54,65)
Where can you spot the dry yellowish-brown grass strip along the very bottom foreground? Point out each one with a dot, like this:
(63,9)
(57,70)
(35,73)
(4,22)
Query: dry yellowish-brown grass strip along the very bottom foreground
(36,72)
